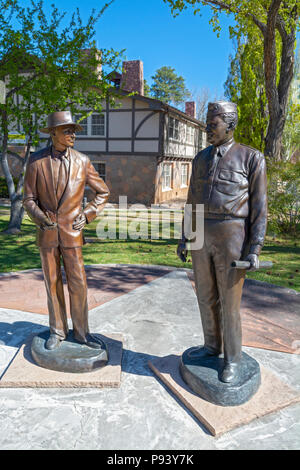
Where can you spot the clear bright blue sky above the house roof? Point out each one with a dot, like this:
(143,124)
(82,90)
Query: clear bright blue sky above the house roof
(149,32)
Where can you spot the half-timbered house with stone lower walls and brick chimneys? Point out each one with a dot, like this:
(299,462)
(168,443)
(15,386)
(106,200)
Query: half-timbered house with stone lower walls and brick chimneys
(142,147)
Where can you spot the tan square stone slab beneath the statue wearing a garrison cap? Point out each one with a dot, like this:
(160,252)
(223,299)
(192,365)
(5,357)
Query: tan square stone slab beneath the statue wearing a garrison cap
(273,395)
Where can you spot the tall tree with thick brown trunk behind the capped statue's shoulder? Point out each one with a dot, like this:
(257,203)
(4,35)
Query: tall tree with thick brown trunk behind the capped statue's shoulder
(273,18)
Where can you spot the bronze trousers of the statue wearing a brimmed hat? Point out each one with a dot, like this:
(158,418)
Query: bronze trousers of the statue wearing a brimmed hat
(77,287)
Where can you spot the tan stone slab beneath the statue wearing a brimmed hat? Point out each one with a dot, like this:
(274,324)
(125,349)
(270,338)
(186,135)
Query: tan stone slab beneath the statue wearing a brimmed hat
(24,372)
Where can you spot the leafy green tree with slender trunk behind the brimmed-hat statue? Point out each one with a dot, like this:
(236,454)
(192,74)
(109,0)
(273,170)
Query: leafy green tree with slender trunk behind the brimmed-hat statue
(46,68)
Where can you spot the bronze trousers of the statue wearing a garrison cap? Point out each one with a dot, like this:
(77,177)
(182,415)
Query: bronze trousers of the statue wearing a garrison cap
(219,285)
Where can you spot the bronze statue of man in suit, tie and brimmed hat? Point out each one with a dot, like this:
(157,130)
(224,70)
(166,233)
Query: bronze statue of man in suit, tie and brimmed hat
(54,186)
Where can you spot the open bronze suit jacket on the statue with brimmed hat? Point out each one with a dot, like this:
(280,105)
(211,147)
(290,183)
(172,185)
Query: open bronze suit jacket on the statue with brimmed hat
(40,198)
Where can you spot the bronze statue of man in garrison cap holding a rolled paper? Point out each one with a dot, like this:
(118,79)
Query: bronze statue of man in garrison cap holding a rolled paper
(229,180)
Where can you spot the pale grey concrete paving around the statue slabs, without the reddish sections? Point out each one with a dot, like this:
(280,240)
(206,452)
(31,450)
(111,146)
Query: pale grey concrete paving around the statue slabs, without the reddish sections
(142,413)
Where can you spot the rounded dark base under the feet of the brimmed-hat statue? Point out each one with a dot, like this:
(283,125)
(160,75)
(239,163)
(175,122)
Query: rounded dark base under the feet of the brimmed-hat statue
(70,356)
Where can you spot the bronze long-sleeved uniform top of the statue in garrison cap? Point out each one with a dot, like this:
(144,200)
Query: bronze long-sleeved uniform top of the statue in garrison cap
(232,186)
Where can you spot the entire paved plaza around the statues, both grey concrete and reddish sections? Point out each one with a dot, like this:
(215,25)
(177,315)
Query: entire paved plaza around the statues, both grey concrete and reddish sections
(156,311)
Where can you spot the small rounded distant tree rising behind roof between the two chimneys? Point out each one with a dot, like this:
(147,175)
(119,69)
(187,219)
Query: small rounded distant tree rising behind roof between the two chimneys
(169,87)
